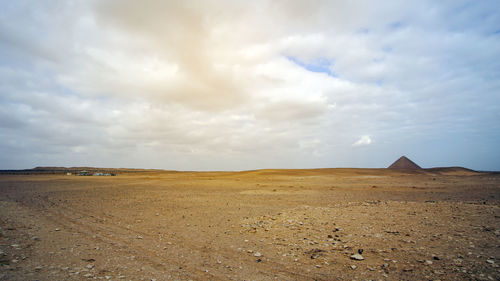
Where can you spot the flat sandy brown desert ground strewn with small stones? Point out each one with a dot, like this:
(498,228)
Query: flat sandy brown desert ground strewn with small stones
(255,225)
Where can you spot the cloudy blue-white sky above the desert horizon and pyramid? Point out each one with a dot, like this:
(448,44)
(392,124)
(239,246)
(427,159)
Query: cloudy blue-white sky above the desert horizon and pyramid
(238,85)
